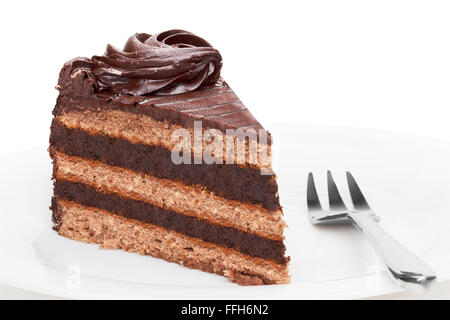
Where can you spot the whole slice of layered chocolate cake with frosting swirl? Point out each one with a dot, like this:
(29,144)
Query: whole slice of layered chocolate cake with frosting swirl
(154,153)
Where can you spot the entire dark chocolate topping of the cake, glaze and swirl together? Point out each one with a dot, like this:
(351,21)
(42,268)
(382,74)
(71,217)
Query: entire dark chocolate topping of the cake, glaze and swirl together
(158,76)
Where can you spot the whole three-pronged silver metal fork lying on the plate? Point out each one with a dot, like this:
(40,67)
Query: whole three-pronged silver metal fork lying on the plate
(404,267)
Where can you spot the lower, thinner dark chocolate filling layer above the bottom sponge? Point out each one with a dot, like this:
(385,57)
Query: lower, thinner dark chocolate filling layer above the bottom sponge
(250,244)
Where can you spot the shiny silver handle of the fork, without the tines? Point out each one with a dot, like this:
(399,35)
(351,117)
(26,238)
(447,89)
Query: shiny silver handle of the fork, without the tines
(408,270)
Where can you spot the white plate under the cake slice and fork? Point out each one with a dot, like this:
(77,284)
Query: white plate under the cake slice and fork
(405,178)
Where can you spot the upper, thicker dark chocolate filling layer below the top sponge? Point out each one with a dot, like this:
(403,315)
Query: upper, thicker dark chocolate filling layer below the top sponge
(228,180)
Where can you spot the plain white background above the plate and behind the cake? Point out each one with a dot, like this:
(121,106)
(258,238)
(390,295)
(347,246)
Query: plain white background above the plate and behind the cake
(372,64)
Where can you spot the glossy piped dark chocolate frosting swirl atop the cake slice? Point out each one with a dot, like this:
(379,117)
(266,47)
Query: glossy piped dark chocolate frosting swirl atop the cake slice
(170,62)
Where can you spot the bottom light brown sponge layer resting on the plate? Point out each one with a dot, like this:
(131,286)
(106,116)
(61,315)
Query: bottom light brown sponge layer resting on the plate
(115,232)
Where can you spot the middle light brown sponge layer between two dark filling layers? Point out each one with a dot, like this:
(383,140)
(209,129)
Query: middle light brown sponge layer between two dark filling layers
(173,195)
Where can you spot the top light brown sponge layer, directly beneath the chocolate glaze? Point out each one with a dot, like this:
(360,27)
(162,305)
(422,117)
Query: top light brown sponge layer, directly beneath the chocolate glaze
(138,128)
